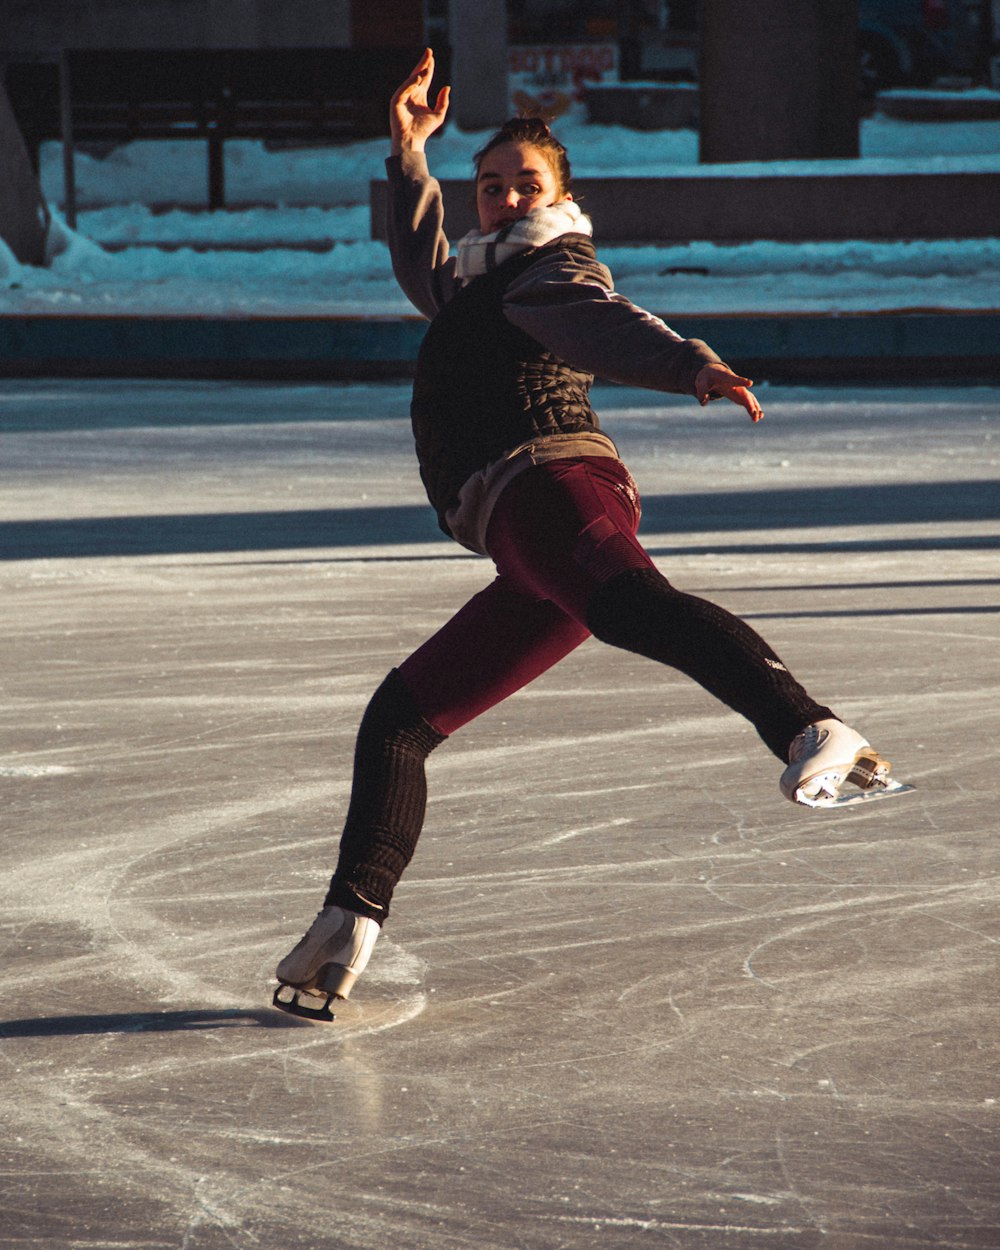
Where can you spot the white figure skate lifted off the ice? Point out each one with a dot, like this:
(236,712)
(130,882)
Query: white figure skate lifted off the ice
(827,757)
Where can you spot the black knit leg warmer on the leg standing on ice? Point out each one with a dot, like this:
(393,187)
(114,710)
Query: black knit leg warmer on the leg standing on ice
(388,801)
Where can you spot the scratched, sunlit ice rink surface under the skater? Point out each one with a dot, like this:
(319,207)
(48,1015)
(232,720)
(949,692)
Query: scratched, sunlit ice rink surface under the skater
(629,997)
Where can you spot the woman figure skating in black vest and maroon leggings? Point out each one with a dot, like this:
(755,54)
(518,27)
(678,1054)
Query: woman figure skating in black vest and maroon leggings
(518,469)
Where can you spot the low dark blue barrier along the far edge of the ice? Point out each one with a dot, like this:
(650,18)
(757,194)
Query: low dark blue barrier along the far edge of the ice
(872,347)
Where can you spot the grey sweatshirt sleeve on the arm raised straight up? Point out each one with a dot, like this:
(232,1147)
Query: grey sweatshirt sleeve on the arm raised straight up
(417,241)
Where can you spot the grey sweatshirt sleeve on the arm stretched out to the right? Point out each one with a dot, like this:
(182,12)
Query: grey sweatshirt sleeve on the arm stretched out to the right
(571,307)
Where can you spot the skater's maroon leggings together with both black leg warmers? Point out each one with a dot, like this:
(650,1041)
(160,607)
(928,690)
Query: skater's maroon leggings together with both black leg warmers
(563,539)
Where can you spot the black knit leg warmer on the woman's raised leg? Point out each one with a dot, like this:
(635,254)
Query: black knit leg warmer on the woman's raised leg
(641,612)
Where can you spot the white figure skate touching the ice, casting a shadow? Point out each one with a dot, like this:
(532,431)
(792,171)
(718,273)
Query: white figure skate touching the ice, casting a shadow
(326,964)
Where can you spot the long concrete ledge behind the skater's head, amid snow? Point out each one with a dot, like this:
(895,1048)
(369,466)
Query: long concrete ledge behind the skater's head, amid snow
(787,208)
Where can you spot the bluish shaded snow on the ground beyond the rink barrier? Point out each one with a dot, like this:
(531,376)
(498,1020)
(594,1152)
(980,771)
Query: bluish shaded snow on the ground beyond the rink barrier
(311,252)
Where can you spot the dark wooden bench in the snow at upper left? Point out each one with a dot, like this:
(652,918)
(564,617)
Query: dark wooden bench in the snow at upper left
(311,96)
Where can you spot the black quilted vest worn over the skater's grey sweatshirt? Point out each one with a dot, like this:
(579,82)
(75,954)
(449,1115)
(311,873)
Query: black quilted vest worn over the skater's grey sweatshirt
(484,387)
